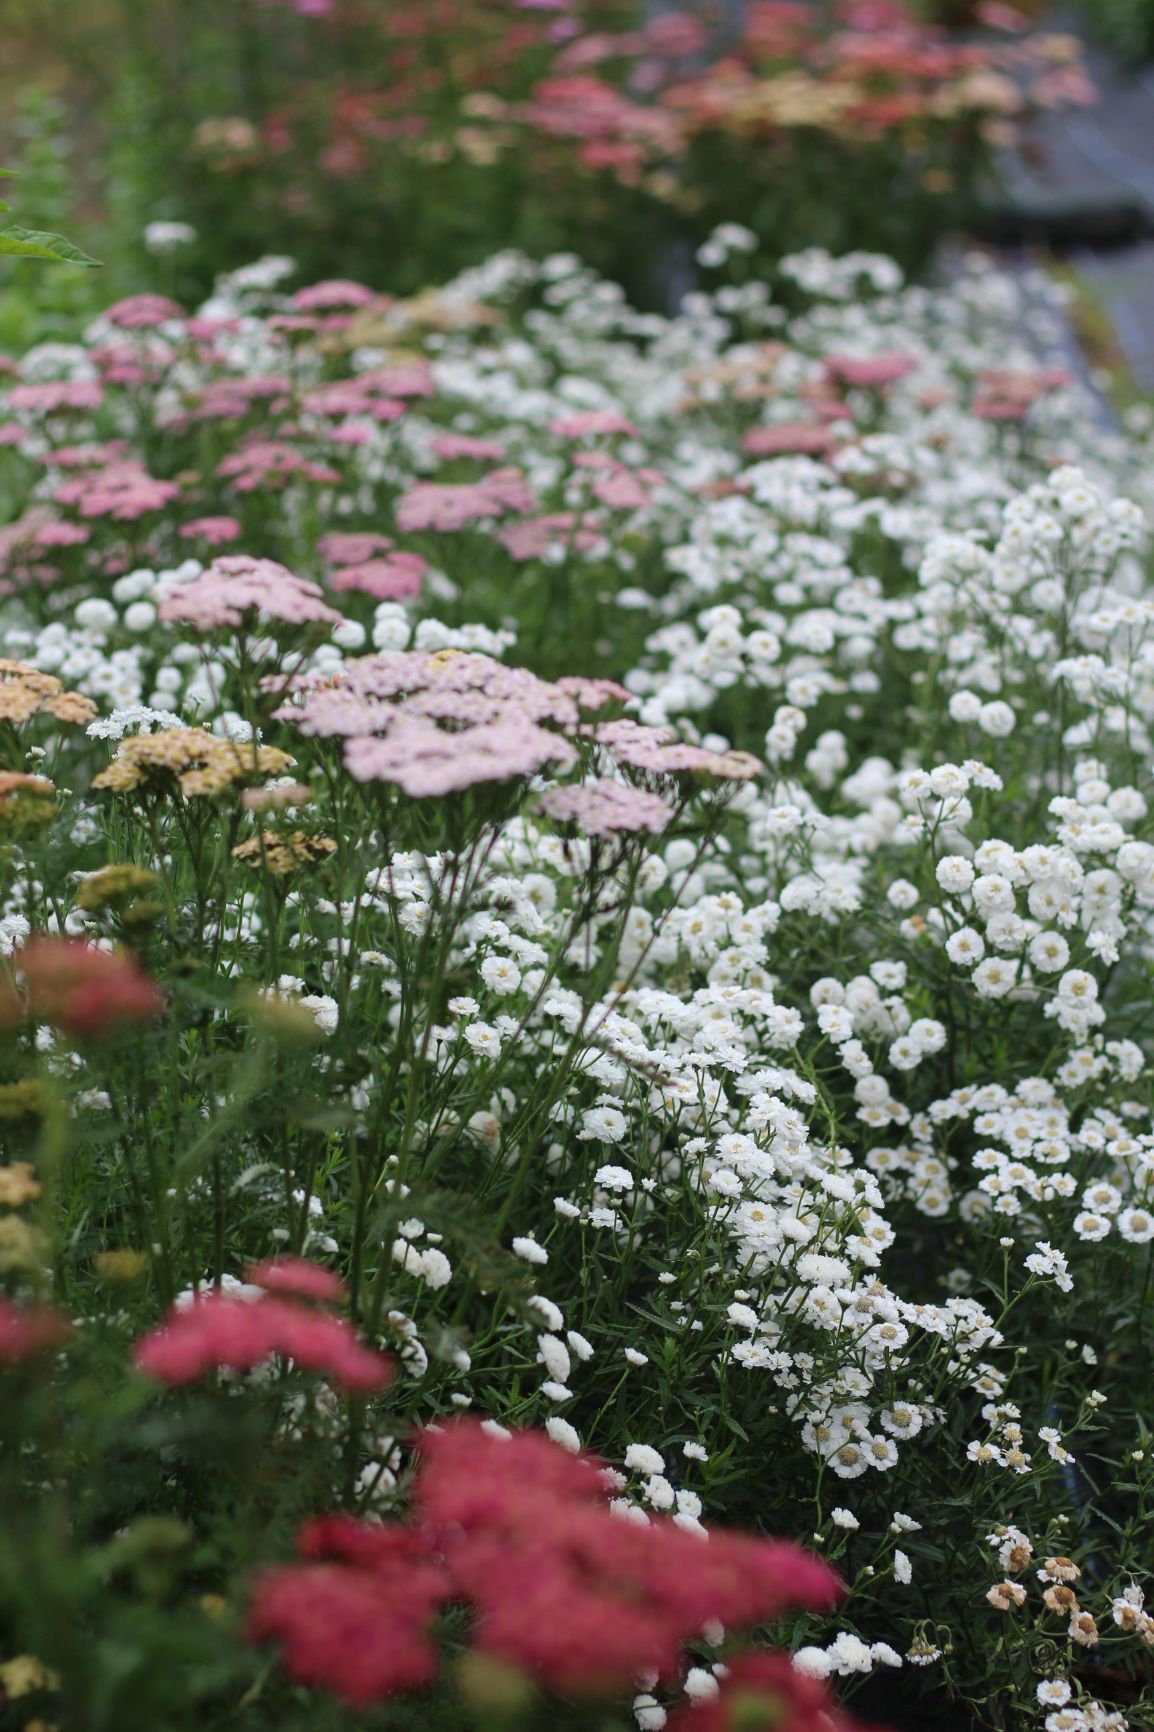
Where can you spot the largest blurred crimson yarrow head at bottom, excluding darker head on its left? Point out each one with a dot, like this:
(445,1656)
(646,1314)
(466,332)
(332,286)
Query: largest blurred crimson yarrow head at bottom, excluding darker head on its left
(524,1525)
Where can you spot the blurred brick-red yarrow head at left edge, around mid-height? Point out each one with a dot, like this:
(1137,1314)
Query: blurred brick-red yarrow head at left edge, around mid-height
(81,988)
